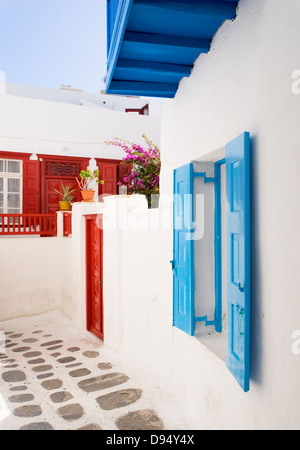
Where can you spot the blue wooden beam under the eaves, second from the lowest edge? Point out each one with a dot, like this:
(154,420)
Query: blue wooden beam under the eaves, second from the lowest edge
(150,71)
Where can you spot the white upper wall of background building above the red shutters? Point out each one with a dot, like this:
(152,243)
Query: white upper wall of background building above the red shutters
(56,128)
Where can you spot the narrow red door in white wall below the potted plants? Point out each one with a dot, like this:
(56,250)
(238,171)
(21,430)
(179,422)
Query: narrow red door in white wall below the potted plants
(94,275)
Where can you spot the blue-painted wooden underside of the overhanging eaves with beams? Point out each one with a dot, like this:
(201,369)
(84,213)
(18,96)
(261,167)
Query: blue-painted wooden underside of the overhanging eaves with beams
(152,44)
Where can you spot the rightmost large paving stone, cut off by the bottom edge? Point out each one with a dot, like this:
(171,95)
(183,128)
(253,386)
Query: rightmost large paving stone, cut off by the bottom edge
(145,419)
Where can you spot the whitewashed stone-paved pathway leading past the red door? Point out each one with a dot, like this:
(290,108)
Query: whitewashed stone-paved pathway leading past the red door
(53,377)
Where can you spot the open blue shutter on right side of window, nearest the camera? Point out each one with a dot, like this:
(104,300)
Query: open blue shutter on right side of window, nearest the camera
(238,258)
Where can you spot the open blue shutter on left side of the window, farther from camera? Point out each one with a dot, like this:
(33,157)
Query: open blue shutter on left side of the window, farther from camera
(183,250)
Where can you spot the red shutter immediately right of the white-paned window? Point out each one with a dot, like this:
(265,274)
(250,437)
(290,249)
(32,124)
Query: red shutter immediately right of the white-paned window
(31,187)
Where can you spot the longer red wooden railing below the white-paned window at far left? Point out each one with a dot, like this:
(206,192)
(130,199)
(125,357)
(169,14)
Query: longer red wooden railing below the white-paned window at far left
(28,224)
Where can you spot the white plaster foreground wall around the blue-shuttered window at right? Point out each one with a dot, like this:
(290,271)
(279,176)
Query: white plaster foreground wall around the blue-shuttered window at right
(245,84)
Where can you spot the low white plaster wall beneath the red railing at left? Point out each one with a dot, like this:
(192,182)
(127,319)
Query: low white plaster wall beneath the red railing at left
(34,276)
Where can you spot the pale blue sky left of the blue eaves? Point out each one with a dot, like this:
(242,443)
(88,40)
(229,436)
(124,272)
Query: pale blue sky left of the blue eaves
(53,42)
